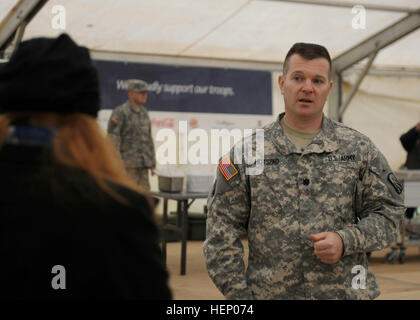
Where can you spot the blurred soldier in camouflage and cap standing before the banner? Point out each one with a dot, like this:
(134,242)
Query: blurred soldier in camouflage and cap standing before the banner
(130,129)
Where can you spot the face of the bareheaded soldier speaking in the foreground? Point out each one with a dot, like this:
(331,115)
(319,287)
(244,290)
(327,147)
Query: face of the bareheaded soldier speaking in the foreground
(305,87)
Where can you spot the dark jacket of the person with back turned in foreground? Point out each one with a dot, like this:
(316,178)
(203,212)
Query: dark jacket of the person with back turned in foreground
(62,237)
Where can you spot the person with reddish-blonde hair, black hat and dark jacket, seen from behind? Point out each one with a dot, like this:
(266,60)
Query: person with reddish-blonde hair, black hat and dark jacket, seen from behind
(72,224)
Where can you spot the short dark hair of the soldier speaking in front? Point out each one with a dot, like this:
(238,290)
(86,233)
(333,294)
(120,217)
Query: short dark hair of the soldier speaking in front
(308,51)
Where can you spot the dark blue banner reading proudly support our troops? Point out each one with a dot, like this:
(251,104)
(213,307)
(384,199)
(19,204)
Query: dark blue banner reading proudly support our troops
(188,89)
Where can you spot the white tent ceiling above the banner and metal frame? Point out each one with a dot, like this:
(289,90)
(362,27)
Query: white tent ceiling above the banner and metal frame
(250,30)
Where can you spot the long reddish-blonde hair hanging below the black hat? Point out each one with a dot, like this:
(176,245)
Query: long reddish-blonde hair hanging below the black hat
(80,143)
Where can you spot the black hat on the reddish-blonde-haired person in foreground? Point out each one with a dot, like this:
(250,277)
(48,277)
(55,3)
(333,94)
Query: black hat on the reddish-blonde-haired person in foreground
(49,75)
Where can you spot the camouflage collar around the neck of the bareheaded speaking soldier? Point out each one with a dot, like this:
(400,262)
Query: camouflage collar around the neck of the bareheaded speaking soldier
(325,141)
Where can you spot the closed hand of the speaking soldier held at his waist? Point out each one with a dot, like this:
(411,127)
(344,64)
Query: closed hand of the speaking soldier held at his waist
(328,246)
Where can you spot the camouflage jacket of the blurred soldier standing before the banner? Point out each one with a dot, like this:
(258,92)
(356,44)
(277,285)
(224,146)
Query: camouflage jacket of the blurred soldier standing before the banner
(130,130)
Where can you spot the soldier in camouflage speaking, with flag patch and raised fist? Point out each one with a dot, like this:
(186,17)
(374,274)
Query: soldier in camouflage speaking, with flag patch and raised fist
(315,209)
